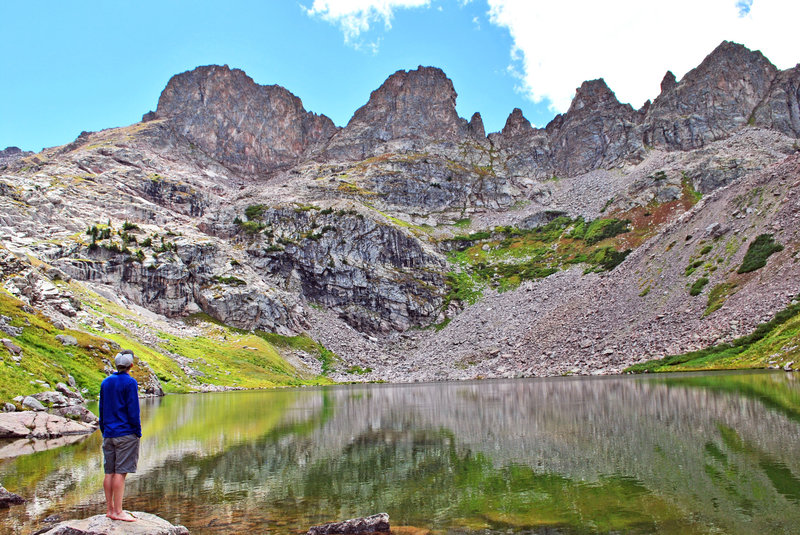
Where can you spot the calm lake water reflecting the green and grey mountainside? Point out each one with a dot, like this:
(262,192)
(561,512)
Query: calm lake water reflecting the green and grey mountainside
(715,453)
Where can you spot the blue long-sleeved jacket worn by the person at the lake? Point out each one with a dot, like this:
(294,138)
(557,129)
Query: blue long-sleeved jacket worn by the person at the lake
(119,406)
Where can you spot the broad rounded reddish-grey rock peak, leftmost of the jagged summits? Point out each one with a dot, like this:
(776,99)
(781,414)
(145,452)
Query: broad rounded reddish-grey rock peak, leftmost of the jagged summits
(251,128)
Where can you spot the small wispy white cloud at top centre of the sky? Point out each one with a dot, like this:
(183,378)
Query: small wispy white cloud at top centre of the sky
(355,17)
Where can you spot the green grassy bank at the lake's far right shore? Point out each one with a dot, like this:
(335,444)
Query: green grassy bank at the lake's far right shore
(771,343)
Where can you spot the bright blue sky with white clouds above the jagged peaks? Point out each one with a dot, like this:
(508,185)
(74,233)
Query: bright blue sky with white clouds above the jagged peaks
(75,65)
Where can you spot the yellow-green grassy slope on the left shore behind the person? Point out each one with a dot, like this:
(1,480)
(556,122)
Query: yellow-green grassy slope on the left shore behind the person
(225,356)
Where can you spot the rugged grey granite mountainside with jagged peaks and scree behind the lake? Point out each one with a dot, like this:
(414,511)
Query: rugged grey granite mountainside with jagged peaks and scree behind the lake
(402,242)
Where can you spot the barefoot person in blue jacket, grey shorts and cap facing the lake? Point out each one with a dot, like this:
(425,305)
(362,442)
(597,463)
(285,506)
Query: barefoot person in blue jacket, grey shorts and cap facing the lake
(122,429)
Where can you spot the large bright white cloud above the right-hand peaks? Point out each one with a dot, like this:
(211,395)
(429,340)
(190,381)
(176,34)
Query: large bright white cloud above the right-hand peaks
(631,44)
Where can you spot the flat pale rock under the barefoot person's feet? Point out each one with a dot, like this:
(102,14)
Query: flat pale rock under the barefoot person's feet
(146,524)
